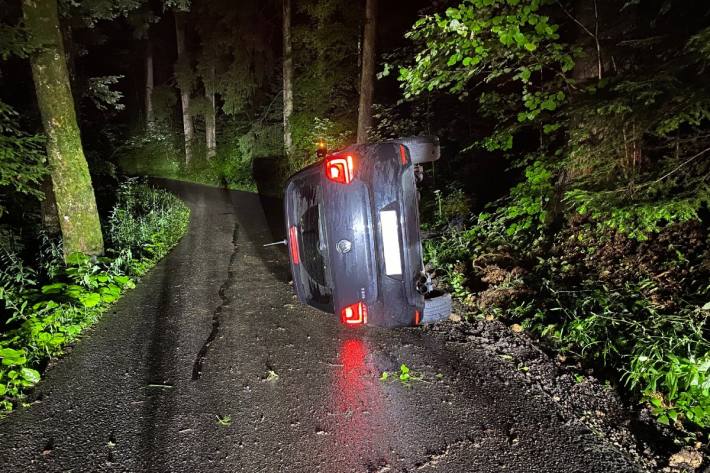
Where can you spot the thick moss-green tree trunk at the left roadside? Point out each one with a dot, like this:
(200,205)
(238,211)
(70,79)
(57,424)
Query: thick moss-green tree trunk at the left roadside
(74,193)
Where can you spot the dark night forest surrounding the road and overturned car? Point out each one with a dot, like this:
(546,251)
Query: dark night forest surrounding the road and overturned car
(571,200)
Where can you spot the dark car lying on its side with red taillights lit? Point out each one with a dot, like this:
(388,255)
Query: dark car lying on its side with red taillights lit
(353,235)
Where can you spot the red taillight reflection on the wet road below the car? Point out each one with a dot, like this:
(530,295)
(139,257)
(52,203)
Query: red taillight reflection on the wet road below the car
(360,430)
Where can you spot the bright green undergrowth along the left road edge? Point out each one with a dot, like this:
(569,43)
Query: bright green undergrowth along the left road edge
(47,304)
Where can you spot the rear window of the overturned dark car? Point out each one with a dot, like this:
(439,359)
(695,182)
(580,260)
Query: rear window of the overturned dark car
(315,274)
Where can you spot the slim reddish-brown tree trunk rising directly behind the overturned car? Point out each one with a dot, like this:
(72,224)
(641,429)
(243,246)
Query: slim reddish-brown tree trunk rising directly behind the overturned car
(367,74)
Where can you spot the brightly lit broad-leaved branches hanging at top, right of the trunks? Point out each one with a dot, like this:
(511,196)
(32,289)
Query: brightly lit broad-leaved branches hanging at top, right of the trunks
(511,48)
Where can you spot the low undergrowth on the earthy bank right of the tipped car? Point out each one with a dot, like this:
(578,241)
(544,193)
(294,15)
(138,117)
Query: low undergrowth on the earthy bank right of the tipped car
(632,297)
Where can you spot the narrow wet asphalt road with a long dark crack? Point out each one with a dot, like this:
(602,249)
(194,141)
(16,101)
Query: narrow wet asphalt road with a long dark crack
(214,331)
